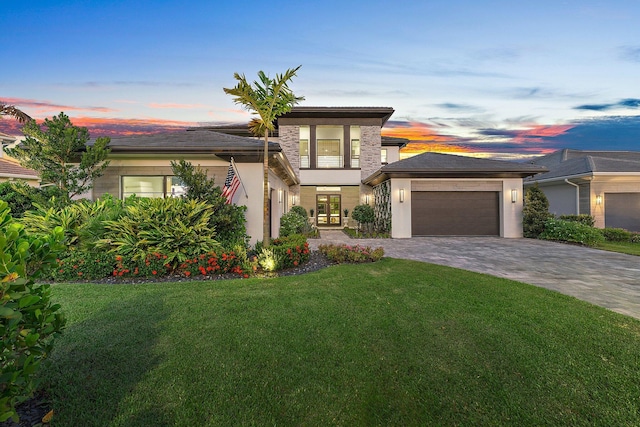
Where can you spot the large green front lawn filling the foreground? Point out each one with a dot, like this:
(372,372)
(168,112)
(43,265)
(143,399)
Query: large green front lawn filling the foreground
(391,343)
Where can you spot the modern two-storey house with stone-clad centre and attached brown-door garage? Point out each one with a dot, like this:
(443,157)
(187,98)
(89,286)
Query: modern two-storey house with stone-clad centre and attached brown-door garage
(328,159)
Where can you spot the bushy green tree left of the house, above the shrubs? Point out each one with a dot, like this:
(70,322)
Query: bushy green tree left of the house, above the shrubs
(61,156)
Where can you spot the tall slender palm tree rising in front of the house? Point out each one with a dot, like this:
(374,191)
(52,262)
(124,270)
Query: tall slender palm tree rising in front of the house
(268,99)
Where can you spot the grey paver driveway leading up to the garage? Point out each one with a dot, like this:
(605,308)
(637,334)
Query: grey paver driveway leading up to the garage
(607,279)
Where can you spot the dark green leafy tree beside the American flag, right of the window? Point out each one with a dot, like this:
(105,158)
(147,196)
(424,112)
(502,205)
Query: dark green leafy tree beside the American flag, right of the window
(227,219)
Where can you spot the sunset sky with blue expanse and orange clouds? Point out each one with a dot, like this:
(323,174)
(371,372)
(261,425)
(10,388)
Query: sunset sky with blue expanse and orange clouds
(497,79)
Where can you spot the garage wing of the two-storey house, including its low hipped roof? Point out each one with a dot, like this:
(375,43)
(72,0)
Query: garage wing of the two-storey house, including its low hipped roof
(442,194)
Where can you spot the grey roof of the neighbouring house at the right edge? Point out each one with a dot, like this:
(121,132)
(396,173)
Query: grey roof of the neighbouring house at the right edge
(566,163)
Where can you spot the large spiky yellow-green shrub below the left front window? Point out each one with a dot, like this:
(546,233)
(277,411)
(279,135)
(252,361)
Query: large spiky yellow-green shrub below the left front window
(174,227)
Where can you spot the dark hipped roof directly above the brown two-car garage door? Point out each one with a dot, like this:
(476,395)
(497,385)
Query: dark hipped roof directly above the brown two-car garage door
(437,165)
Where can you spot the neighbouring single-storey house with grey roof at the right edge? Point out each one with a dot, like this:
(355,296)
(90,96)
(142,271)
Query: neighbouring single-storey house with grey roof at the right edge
(604,184)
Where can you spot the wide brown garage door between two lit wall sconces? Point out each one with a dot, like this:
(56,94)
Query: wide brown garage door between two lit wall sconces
(455,213)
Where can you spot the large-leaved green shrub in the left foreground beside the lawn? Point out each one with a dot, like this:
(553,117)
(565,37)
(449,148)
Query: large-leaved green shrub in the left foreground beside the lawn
(28,320)
